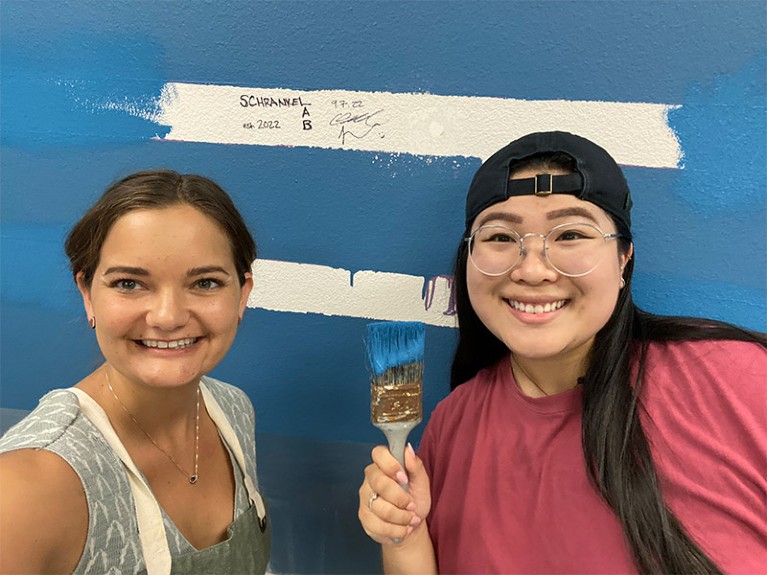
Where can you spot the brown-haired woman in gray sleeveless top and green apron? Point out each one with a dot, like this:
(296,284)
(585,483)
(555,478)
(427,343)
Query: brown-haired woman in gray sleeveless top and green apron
(147,464)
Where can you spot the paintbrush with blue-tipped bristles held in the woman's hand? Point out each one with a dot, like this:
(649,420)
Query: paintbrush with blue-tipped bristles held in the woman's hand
(395,357)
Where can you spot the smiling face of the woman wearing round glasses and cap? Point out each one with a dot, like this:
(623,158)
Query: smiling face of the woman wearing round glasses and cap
(534,310)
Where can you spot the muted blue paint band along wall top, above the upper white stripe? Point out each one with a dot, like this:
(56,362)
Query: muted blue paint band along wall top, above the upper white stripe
(551,49)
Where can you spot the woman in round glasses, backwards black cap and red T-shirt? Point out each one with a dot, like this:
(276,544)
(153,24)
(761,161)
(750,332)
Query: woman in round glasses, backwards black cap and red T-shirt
(582,435)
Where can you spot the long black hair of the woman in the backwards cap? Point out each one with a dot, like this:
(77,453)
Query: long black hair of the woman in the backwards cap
(615,447)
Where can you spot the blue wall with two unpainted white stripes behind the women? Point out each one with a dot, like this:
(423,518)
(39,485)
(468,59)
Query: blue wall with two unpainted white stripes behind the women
(347,133)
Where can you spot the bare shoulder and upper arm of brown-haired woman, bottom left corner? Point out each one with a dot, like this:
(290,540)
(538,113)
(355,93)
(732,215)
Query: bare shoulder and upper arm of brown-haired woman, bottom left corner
(33,512)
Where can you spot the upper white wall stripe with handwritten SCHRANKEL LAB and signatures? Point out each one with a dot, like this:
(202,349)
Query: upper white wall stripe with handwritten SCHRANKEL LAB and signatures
(636,134)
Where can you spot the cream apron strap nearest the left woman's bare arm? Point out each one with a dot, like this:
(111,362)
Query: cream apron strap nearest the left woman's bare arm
(154,542)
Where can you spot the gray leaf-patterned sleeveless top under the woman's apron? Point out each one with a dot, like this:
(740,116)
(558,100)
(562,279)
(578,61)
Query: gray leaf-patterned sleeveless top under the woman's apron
(112,545)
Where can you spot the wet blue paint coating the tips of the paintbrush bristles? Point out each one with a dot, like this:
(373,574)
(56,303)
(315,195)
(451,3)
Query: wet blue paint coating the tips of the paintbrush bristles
(393,343)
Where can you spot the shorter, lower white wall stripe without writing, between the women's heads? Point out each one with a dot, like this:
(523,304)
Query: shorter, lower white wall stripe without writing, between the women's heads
(309,288)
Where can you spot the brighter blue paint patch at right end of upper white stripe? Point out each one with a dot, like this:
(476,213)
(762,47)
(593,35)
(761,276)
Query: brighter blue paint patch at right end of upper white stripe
(722,127)
